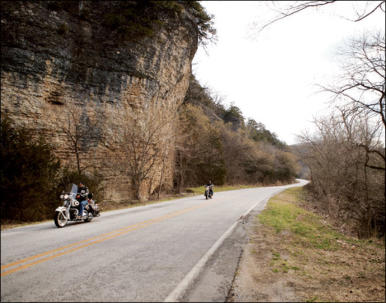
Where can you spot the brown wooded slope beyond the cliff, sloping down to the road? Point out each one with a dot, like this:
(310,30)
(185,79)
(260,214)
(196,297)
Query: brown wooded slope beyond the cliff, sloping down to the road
(218,143)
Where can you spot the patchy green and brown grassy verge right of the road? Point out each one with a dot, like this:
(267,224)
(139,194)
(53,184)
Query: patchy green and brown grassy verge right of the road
(311,261)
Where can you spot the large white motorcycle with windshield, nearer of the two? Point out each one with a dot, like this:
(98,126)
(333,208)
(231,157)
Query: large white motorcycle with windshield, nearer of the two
(71,207)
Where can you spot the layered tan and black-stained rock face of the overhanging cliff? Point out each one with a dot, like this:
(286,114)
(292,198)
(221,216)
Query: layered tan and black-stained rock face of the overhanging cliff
(57,61)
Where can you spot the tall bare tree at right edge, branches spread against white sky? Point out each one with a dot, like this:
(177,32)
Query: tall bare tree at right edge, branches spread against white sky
(360,90)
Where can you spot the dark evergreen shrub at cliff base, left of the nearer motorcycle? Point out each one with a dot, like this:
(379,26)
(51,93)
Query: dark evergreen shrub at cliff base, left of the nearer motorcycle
(28,174)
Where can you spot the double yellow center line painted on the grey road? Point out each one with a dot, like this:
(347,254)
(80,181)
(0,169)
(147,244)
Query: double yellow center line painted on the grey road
(100,238)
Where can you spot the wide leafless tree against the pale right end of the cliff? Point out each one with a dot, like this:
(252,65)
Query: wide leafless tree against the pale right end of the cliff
(140,150)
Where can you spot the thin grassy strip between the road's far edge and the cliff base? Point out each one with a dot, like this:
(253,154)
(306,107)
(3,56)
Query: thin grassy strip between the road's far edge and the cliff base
(109,206)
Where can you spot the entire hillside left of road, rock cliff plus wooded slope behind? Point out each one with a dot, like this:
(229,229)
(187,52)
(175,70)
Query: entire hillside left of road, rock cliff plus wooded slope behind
(103,93)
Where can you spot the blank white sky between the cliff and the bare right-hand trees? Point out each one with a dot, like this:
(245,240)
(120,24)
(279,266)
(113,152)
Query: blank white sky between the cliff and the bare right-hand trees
(272,76)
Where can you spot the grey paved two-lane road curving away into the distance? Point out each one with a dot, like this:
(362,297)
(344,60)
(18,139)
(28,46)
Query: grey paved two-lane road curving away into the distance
(137,254)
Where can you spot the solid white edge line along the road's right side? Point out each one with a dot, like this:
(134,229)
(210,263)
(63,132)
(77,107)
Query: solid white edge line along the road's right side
(181,288)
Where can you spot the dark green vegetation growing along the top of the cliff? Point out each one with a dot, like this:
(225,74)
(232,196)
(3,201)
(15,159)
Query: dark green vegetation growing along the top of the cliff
(135,19)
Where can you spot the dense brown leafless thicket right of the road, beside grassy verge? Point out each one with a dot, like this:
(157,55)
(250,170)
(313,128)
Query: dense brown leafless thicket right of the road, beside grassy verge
(345,182)
